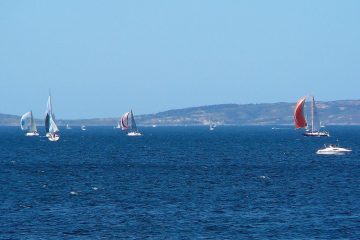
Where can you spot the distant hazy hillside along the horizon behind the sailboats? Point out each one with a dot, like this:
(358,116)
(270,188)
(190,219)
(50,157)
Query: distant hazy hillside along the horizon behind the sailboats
(344,112)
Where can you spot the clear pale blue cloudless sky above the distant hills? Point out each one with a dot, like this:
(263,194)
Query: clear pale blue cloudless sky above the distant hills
(101,58)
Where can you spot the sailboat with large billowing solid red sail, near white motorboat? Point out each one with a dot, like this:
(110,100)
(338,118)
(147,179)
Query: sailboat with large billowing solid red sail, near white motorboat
(301,122)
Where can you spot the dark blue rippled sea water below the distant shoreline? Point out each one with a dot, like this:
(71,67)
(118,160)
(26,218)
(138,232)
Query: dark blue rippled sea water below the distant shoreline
(179,183)
